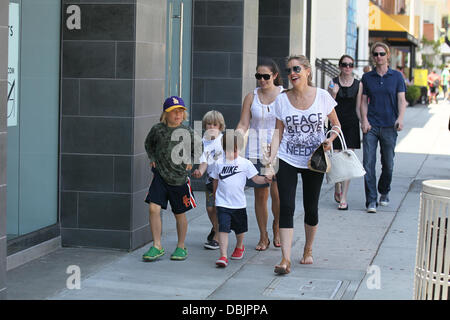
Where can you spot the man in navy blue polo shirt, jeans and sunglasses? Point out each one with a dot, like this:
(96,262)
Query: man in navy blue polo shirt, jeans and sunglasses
(382,110)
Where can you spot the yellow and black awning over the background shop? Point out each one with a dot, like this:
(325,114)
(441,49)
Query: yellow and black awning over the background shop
(381,25)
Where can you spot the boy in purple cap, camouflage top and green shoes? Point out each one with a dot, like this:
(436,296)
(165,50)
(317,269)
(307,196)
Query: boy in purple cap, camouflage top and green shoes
(170,159)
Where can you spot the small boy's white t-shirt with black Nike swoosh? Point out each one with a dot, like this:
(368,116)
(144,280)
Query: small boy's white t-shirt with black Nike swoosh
(232,176)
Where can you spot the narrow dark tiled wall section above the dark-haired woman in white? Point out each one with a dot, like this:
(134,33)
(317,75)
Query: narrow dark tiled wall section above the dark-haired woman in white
(274,31)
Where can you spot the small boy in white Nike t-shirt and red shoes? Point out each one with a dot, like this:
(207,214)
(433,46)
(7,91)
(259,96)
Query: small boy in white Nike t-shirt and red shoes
(230,176)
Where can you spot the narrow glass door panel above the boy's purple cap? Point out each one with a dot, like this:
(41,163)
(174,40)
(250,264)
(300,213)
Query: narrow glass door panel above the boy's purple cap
(178,58)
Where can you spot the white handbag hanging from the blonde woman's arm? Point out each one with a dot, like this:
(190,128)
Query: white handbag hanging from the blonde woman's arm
(345,165)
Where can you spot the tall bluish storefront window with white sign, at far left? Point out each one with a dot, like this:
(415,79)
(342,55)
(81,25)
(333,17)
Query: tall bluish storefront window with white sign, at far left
(33,115)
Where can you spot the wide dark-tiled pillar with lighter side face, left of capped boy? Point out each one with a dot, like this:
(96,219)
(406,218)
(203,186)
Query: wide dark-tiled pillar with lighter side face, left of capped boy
(104,121)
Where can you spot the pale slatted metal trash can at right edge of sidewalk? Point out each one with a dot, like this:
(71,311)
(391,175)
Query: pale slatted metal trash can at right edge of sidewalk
(432,272)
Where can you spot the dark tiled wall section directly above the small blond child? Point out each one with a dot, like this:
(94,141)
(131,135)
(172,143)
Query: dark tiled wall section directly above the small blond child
(217,58)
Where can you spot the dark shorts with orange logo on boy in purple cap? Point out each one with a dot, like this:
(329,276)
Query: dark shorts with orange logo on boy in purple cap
(181,198)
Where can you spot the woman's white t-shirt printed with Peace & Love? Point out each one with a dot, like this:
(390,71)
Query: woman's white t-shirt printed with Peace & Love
(303,129)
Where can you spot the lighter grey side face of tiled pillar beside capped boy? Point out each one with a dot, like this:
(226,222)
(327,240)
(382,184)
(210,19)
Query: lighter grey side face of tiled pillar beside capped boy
(149,85)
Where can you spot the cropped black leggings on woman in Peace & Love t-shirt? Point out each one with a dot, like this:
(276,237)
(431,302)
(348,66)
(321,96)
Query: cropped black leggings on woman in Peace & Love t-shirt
(287,178)
